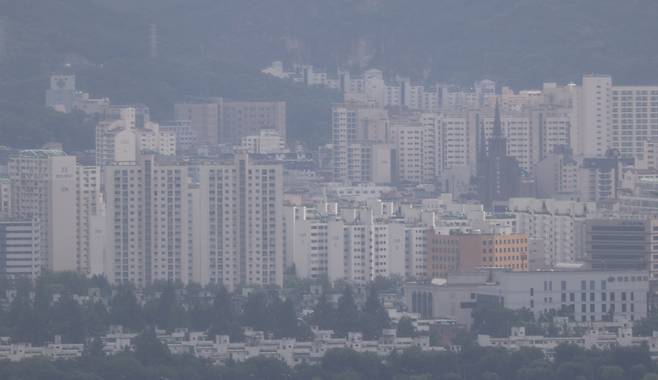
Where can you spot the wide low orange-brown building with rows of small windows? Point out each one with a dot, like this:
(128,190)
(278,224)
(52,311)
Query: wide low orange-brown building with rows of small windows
(471,252)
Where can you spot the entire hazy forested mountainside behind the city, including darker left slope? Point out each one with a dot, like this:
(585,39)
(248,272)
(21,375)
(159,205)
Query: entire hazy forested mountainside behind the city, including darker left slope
(210,47)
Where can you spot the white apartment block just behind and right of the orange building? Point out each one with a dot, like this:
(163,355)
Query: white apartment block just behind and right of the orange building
(555,223)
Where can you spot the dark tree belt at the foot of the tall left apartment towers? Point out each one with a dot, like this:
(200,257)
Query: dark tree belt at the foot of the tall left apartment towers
(53,306)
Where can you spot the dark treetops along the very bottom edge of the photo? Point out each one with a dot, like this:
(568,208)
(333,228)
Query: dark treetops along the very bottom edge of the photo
(152,361)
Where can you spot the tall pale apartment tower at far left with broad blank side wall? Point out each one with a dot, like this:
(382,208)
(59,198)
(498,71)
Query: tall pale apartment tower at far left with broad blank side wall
(43,186)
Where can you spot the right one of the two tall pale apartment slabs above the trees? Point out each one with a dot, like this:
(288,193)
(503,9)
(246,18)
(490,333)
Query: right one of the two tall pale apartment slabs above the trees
(241,220)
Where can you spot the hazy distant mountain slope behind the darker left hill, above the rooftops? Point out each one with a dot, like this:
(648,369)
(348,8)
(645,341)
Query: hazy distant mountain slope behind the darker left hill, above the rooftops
(455,40)
